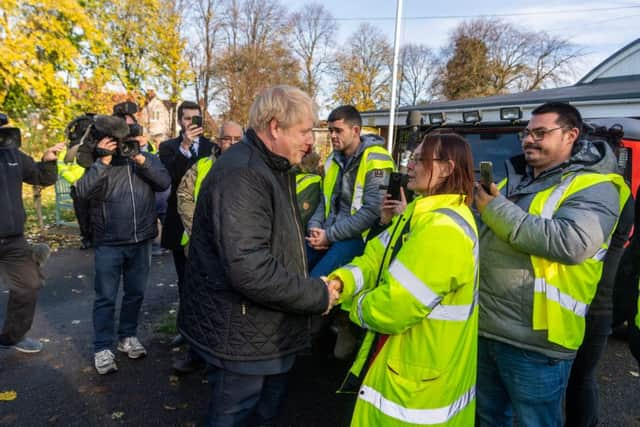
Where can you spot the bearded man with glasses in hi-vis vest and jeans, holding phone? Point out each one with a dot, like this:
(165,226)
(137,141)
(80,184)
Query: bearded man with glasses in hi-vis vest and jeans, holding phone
(544,234)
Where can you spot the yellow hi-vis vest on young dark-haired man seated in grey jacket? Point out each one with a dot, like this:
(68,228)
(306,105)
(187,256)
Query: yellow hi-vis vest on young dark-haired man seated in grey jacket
(374,157)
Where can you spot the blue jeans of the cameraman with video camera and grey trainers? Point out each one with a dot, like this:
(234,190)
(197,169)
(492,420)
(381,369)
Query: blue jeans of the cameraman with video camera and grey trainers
(132,262)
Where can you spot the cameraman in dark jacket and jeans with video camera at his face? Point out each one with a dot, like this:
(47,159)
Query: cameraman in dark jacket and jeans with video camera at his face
(120,186)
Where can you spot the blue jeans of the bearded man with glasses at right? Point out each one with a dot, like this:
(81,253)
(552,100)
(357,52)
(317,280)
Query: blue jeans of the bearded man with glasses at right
(528,383)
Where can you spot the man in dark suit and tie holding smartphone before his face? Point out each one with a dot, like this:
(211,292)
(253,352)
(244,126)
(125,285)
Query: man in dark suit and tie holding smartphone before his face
(178,155)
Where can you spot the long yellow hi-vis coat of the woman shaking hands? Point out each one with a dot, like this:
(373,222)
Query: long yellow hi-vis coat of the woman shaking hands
(425,299)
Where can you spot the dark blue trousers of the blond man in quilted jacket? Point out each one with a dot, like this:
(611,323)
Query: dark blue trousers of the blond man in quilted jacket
(239,400)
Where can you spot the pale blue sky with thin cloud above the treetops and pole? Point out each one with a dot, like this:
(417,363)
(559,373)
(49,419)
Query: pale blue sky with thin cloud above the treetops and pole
(598,28)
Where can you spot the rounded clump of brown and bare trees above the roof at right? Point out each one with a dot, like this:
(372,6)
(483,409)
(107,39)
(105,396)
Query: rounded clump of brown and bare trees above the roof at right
(490,57)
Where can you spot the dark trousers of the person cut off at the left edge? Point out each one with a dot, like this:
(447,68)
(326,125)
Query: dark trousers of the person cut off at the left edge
(24,279)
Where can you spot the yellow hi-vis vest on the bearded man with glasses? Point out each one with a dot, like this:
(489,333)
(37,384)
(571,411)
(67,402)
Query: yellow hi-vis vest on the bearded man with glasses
(563,292)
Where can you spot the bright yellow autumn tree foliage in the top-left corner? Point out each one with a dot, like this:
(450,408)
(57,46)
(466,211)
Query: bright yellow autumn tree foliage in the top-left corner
(41,43)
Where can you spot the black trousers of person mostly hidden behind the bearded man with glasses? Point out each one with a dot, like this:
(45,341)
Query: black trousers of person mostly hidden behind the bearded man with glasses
(581,401)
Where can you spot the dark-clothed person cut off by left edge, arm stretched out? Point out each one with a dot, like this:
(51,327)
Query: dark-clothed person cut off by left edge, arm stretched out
(17,261)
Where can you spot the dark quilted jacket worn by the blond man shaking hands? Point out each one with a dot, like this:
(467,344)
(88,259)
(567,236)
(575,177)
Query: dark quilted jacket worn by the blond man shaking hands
(246,295)
